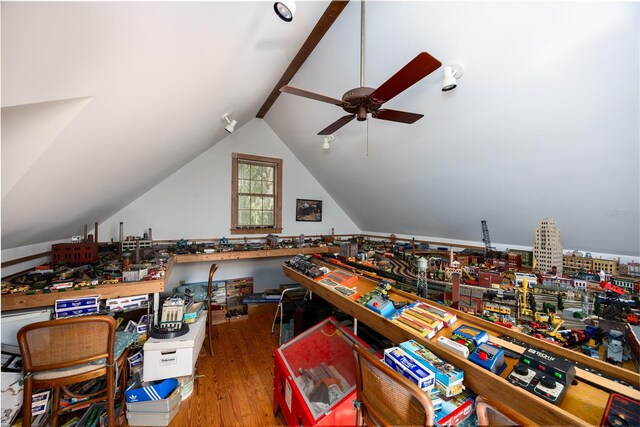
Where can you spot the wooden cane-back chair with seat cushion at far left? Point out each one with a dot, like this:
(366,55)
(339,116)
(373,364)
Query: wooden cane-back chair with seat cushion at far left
(59,353)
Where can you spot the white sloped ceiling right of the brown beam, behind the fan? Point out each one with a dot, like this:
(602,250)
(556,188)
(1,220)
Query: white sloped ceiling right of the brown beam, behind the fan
(545,122)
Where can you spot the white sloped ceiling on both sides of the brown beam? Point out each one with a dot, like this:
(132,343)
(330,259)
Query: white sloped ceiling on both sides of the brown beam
(544,123)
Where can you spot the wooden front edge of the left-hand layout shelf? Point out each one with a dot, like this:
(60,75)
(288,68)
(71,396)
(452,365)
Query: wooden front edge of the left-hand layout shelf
(123,289)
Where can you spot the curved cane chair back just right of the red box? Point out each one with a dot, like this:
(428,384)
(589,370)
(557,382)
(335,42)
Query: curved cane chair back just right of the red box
(385,397)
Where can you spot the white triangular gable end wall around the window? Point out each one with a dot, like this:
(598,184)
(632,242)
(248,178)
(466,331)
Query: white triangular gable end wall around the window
(195,202)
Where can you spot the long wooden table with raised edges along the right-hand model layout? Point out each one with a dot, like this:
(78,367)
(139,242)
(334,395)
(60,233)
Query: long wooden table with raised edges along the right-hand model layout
(583,404)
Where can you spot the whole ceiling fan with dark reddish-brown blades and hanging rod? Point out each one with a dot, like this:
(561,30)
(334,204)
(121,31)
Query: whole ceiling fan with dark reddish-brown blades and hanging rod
(361,101)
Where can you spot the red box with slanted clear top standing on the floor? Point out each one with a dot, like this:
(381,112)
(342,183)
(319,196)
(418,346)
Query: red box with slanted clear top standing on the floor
(314,378)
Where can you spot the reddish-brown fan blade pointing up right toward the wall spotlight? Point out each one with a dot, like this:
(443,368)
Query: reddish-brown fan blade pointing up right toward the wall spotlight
(417,69)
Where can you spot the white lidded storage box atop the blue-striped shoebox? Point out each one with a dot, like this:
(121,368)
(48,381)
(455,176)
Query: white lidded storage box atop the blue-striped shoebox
(174,357)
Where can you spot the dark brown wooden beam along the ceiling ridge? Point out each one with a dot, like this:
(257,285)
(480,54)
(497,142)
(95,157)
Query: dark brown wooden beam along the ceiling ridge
(325,22)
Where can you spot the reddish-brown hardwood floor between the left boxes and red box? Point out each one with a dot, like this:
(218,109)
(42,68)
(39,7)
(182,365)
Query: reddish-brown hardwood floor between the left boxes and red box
(236,387)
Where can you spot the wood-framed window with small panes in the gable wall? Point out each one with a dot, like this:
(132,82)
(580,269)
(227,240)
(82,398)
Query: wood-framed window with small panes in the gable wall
(256,194)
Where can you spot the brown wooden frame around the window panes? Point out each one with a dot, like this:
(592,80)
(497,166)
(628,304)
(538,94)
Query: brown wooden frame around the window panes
(237,158)
